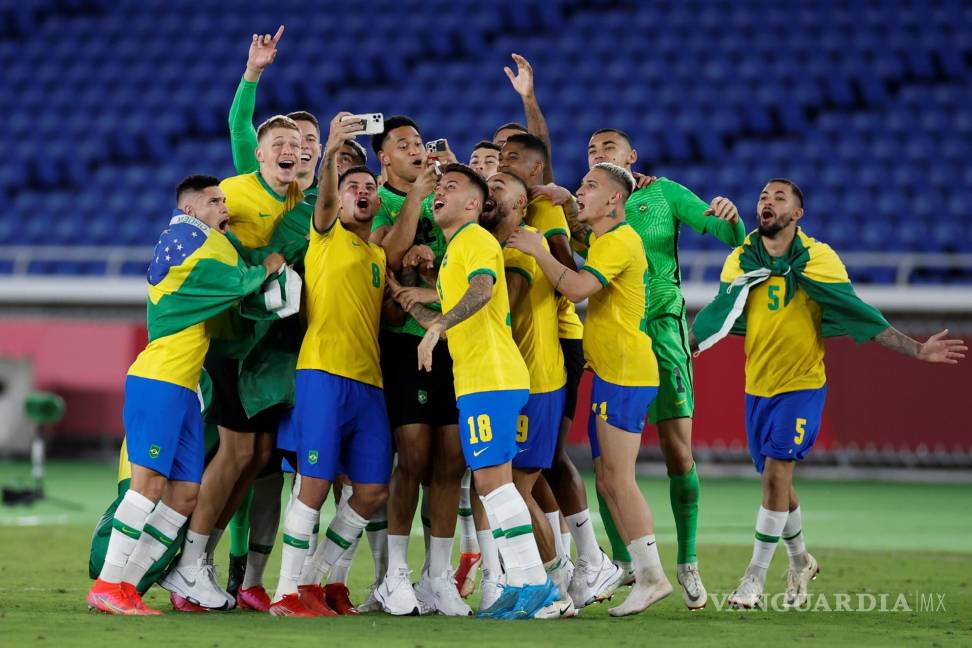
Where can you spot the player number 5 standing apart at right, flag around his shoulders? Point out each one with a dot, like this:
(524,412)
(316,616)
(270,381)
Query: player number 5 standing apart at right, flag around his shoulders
(786,292)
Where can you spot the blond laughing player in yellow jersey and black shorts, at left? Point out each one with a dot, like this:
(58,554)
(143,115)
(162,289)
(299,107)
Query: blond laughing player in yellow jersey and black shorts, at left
(256,203)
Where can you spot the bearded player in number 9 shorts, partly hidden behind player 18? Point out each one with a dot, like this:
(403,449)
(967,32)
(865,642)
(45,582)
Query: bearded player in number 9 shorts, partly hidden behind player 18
(535,325)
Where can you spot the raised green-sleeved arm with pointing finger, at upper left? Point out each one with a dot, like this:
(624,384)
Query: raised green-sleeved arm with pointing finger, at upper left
(243,141)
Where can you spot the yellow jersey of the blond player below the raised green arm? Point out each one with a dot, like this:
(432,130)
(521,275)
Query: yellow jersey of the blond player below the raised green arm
(255,208)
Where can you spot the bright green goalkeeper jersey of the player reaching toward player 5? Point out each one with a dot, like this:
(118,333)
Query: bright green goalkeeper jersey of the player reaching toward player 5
(656,213)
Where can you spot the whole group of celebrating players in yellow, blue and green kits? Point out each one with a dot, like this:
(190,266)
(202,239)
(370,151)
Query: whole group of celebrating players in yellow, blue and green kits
(437,350)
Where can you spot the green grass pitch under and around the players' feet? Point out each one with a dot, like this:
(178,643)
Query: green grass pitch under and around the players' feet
(911,540)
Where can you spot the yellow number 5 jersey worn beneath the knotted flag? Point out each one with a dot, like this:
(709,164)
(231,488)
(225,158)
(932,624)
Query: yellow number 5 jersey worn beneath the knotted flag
(784,342)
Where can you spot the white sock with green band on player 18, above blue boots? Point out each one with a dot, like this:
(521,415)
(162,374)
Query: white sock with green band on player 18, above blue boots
(520,554)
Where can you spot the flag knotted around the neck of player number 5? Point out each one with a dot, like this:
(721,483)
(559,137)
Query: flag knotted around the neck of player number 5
(808,265)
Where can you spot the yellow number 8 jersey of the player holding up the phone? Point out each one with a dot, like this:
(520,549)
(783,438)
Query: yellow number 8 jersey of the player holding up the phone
(345,282)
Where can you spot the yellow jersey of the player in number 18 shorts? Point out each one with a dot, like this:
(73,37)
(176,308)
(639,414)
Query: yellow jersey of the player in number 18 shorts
(484,356)
